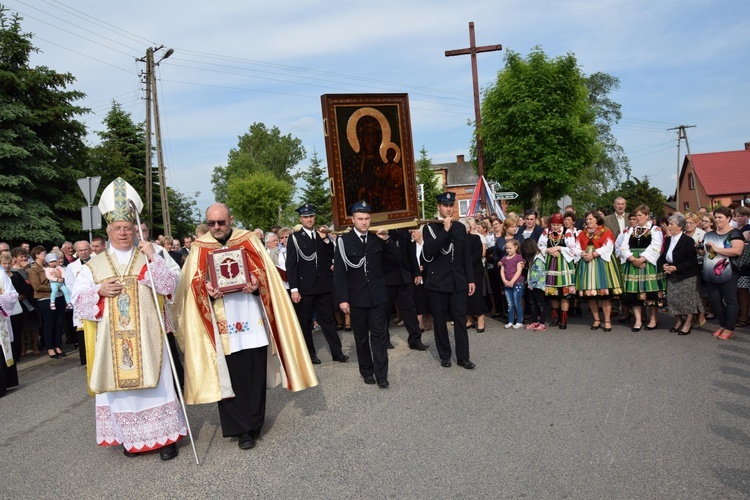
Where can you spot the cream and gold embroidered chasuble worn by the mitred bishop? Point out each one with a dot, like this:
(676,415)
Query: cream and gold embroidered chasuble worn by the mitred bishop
(125,358)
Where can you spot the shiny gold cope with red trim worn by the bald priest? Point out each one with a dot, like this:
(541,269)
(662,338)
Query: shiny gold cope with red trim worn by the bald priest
(197,335)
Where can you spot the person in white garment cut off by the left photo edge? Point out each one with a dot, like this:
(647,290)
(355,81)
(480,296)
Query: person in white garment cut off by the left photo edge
(8,306)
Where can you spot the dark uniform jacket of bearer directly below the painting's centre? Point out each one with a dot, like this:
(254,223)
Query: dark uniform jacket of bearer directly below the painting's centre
(363,286)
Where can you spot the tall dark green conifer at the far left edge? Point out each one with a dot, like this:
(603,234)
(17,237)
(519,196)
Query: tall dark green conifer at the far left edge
(41,144)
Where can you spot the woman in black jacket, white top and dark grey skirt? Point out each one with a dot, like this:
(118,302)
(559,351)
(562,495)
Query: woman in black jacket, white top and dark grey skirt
(679,262)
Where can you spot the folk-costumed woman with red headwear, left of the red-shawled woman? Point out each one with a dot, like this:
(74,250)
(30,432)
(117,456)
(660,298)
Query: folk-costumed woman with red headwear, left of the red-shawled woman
(562,251)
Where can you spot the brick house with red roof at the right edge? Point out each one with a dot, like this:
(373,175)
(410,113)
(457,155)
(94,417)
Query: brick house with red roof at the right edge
(708,179)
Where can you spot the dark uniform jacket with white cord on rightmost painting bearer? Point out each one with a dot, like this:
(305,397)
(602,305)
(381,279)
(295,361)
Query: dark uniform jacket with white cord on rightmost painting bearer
(452,272)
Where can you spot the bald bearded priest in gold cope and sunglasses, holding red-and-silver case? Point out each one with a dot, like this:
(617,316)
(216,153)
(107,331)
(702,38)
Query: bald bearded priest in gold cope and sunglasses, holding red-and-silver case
(237,344)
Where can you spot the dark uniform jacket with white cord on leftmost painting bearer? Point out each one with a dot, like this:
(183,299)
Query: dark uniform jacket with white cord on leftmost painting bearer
(308,277)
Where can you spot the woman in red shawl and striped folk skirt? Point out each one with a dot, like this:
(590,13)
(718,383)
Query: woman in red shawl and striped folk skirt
(598,276)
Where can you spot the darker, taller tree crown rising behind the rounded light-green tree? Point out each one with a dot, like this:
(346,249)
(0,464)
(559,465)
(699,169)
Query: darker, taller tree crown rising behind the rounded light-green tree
(259,150)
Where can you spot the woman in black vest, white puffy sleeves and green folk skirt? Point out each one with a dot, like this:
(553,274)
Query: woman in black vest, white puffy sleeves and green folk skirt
(644,282)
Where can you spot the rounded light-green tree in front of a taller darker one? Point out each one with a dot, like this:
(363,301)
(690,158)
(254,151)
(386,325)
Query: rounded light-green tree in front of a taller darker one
(257,198)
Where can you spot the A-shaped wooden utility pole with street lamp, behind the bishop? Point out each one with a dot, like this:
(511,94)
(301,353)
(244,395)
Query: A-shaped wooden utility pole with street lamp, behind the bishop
(152,104)
